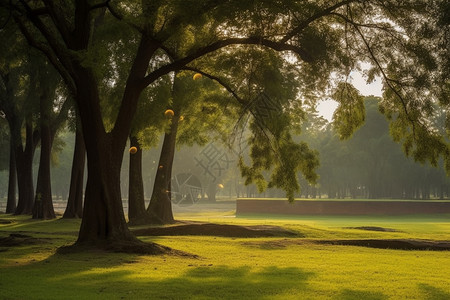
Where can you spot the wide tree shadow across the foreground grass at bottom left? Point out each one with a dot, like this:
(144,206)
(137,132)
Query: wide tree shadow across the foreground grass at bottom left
(104,278)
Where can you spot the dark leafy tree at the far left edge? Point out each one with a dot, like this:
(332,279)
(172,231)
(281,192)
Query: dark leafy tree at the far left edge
(19,87)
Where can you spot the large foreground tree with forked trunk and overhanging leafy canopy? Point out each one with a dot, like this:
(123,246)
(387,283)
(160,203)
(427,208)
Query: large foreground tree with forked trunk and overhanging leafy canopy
(326,38)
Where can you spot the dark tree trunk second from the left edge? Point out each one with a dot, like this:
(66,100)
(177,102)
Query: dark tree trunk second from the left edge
(24,163)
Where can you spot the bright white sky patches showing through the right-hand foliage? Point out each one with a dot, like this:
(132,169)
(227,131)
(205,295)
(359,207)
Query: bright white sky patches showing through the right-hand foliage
(327,107)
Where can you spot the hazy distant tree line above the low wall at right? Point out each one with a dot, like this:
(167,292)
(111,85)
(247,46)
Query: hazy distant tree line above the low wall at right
(370,164)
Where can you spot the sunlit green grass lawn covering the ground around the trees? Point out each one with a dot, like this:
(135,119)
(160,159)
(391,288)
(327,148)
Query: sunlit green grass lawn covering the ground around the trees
(233,268)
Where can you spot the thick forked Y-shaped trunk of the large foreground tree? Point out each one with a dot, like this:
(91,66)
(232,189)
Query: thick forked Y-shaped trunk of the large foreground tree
(103,223)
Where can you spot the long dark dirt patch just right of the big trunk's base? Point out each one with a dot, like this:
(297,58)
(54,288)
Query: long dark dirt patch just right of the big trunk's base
(211,229)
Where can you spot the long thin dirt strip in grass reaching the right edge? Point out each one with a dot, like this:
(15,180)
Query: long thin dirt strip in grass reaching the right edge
(395,244)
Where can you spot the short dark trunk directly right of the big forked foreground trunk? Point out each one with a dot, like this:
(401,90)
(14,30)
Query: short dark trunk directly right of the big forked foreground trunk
(136,202)
